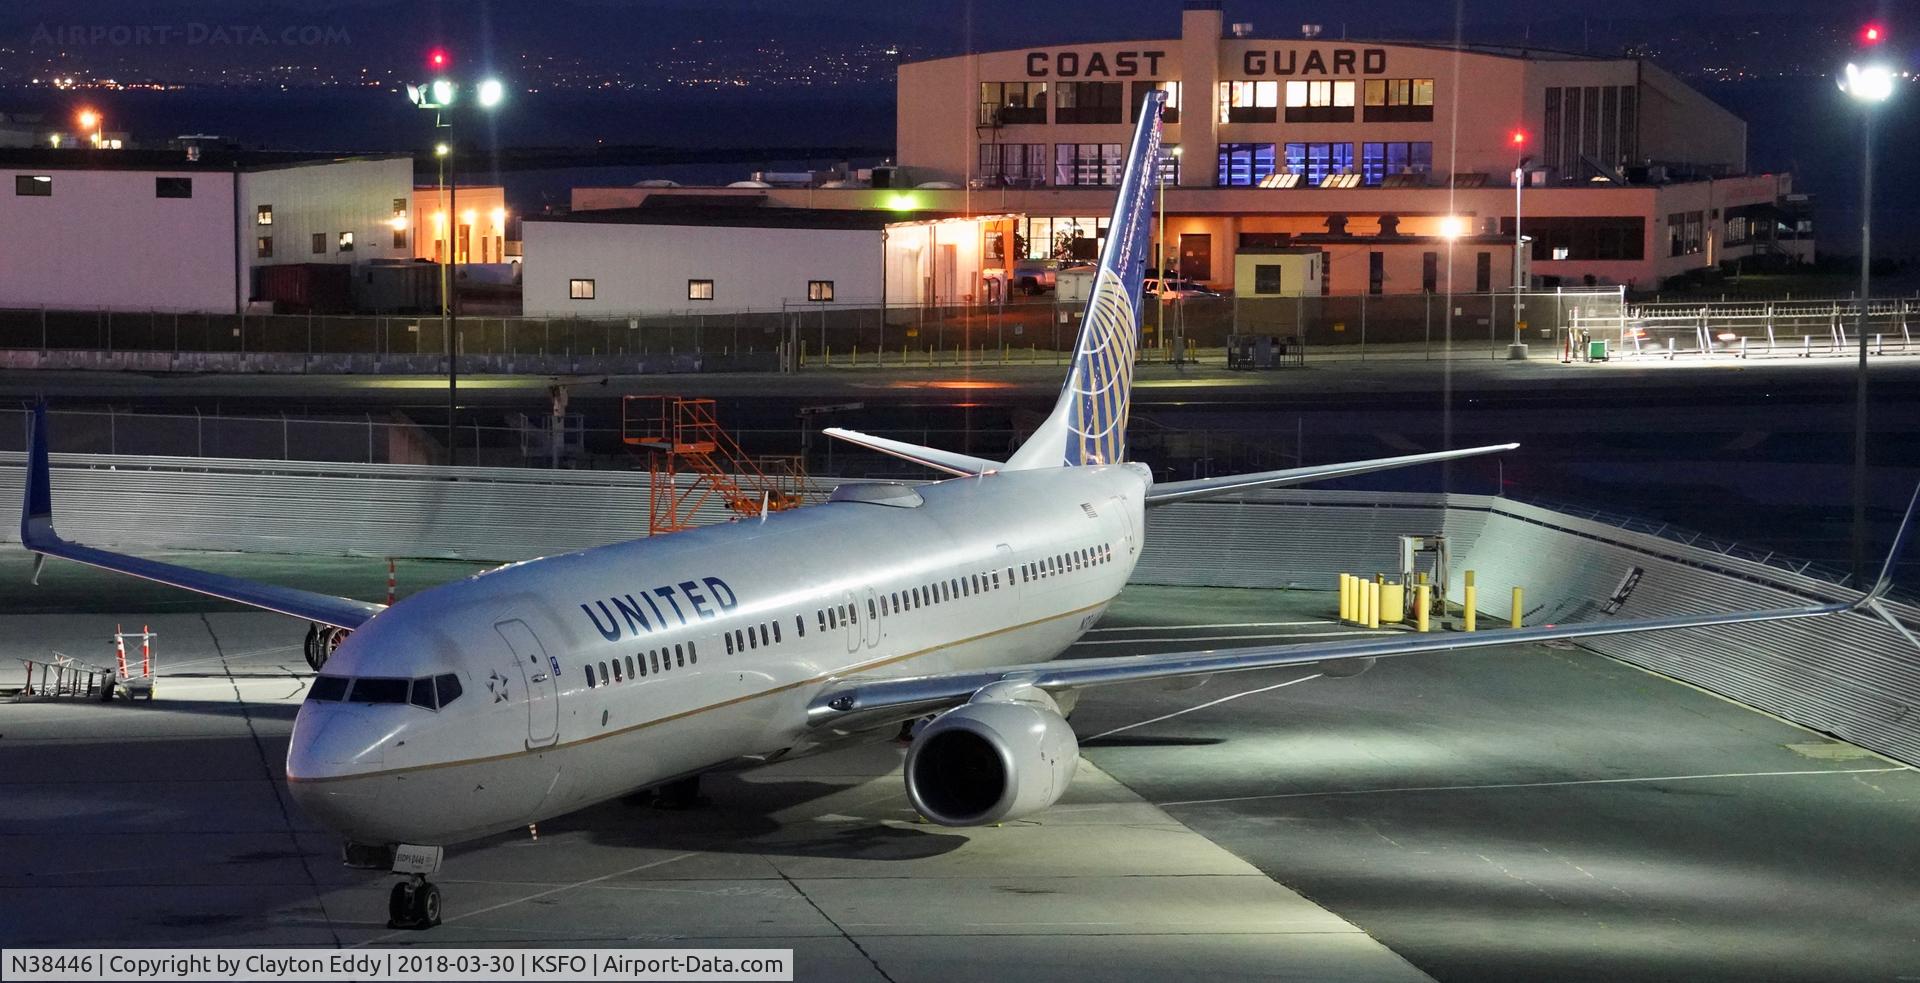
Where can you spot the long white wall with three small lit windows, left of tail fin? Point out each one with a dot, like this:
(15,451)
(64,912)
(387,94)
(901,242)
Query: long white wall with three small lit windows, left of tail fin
(642,270)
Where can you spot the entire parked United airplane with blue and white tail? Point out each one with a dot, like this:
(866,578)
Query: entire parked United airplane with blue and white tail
(552,684)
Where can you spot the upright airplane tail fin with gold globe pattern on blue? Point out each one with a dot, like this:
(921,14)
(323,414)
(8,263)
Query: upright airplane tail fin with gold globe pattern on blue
(1090,423)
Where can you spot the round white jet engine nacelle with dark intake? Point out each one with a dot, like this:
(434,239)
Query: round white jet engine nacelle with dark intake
(1003,755)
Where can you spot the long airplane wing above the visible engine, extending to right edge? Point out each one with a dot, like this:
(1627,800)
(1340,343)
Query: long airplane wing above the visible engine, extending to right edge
(859,704)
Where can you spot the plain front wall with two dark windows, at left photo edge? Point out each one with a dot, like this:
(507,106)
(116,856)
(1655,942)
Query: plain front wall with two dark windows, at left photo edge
(105,241)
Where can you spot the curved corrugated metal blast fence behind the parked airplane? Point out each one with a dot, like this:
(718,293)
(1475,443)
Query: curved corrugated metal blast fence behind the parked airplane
(1848,677)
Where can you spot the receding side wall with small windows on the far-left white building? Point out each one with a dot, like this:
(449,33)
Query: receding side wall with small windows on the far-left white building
(325,199)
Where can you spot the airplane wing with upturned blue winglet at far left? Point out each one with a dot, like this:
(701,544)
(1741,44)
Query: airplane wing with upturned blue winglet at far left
(37,535)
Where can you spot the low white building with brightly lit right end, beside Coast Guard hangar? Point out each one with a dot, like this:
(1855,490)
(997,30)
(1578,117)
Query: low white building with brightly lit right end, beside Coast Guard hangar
(683,254)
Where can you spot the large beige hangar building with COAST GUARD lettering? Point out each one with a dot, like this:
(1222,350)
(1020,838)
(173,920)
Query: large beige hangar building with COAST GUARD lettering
(1358,149)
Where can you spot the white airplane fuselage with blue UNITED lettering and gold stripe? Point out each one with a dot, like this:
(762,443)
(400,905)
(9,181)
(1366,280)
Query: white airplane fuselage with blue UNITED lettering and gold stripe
(752,621)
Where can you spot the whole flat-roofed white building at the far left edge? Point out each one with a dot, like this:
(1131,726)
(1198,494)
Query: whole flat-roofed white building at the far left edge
(189,231)
